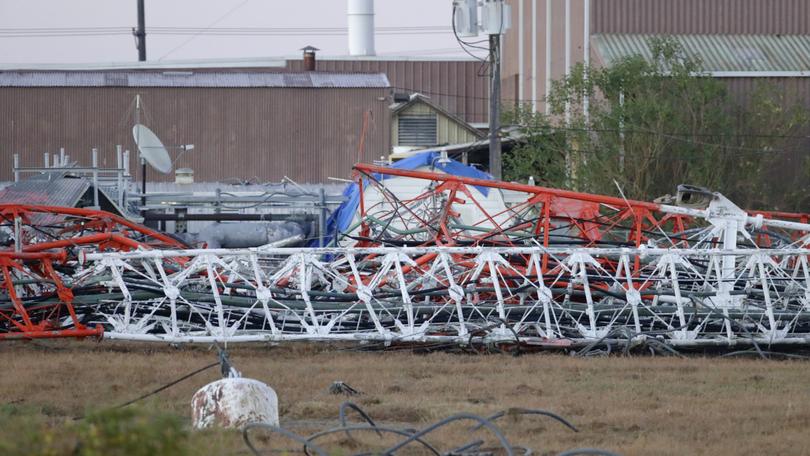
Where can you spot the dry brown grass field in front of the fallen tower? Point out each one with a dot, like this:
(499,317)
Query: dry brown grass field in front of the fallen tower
(633,406)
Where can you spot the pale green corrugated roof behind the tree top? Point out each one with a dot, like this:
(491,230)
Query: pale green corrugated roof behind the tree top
(718,52)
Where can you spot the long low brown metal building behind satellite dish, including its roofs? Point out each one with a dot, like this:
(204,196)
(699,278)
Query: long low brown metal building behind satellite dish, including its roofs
(250,120)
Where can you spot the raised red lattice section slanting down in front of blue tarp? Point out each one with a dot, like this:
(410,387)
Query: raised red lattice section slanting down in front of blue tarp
(589,217)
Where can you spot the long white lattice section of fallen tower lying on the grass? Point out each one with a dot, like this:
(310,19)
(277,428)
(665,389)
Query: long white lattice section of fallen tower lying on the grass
(456,294)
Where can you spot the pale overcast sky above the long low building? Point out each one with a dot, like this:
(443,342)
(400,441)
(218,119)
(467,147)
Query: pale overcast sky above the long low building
(122,15)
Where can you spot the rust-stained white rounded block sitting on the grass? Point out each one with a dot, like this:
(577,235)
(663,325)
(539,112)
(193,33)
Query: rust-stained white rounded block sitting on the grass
(233,403)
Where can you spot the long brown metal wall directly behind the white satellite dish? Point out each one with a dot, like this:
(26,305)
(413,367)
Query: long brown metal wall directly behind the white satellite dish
(306,134)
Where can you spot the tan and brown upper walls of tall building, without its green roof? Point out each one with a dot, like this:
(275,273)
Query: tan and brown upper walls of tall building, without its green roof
(635,16)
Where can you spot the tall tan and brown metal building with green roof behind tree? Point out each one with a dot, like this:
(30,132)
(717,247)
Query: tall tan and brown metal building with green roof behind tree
(550,36)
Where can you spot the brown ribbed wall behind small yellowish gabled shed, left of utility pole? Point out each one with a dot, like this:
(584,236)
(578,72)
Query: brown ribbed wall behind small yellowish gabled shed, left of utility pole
(453,84)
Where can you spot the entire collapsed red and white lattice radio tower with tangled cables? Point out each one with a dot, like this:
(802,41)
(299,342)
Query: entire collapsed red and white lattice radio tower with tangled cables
(461,261)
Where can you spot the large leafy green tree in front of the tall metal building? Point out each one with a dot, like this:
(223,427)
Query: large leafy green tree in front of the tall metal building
(653,124)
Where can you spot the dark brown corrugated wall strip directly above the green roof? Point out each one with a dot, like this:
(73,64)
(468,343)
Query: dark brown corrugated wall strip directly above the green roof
(787,17)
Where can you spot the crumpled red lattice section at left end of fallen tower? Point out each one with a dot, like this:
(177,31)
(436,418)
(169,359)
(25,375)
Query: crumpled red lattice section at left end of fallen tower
(39,301)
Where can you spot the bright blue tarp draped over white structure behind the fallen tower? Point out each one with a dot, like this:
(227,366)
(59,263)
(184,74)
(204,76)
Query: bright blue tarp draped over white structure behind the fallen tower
(341,219)
